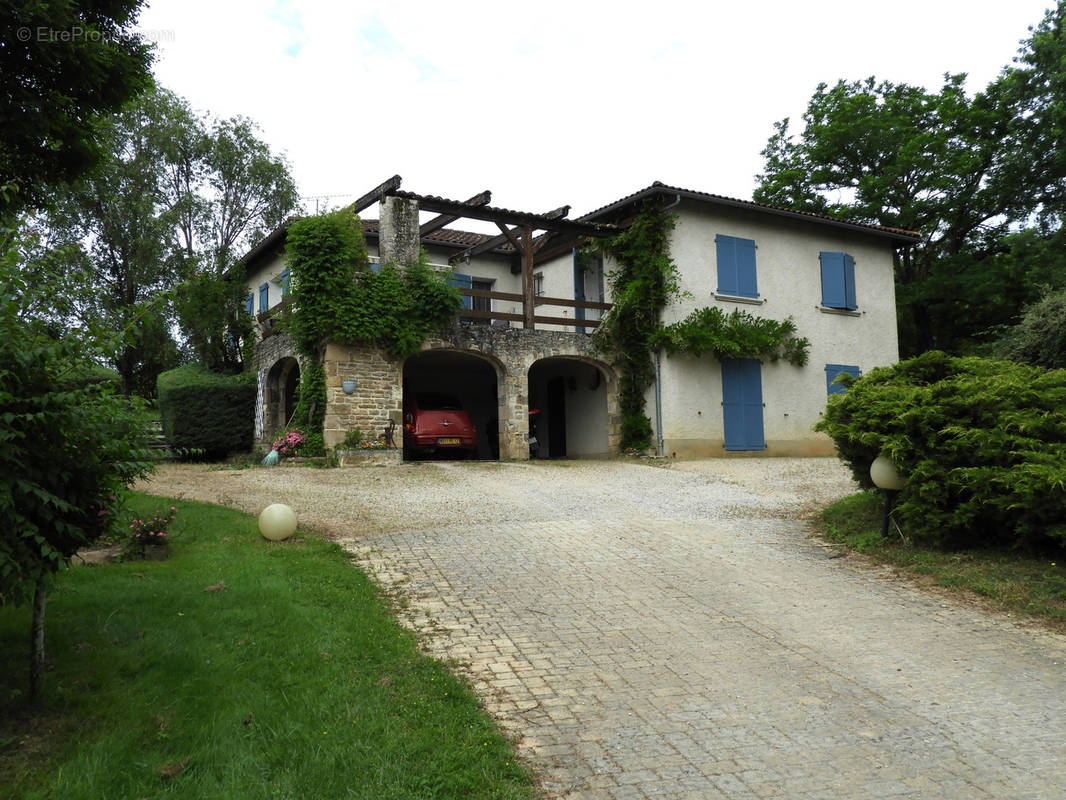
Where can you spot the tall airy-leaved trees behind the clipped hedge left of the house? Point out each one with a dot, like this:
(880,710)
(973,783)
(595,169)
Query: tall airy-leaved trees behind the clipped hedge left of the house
(177,197)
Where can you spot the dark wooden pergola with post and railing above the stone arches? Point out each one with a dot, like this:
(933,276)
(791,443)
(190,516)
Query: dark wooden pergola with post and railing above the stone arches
(532,239)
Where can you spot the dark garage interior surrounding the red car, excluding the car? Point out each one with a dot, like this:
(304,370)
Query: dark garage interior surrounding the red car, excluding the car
(472,380)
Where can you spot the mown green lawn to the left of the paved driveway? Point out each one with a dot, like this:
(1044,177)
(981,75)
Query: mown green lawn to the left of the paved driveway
(294,682)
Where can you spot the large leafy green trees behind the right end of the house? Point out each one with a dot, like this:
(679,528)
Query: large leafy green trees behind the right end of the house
(980,178)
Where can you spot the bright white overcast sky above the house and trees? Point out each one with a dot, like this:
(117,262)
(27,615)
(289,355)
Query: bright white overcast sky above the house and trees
(553,103)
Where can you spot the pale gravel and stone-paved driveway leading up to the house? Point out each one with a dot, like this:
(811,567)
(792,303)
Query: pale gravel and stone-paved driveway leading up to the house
(672,633)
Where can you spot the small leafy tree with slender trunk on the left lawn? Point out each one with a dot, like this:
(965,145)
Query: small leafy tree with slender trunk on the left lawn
(71,446)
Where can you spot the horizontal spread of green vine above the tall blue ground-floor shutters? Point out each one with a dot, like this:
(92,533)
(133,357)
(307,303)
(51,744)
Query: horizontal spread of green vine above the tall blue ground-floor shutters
(736,335)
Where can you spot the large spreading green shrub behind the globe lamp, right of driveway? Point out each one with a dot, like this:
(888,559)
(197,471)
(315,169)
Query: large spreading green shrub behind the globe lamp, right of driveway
(982,444)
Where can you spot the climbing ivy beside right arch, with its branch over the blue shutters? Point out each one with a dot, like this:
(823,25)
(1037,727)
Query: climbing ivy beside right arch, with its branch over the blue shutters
(645,280)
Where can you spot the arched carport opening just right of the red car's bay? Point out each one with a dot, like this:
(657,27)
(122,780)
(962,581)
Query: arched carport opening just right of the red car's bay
(570,398)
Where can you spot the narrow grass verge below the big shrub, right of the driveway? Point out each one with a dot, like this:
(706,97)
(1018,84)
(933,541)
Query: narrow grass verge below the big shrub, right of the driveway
(1009,581)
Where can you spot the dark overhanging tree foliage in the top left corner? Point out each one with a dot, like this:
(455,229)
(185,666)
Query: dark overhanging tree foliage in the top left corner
(63,71)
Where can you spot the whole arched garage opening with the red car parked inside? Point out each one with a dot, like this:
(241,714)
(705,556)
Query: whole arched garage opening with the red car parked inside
(449,385)
